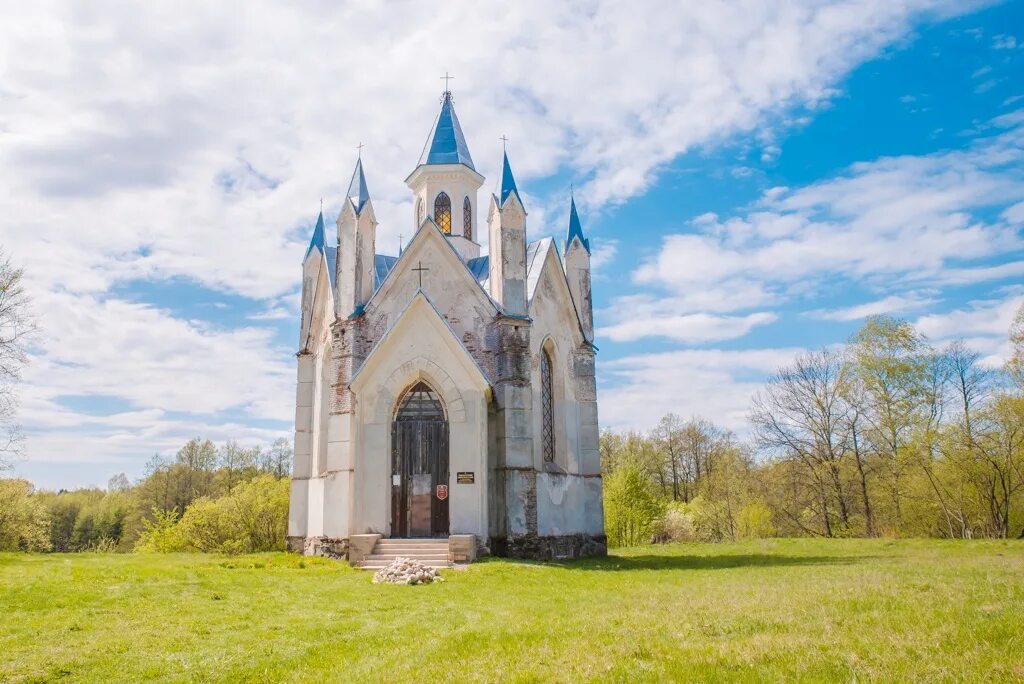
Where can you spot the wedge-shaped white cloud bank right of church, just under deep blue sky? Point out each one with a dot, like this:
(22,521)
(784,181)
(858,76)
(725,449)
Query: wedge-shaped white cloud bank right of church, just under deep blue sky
(900,220)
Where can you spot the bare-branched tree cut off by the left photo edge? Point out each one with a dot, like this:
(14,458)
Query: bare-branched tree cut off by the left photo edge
(17,329)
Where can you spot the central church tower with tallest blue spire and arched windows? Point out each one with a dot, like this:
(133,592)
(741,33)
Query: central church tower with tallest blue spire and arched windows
(445,183)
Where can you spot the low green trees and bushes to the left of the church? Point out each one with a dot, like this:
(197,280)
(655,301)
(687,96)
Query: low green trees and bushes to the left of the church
(205,498)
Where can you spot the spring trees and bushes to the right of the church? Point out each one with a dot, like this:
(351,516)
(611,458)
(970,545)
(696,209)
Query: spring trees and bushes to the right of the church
(885,437)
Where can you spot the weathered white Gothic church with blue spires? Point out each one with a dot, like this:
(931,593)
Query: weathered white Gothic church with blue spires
(446,393)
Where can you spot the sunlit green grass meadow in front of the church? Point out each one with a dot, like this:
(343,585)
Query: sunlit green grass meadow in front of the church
(774,611)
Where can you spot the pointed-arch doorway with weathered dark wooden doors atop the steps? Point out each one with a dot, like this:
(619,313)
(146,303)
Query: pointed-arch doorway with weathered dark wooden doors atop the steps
(420,465)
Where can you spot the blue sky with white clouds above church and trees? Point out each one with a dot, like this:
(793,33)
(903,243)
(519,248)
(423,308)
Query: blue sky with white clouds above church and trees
(756,179)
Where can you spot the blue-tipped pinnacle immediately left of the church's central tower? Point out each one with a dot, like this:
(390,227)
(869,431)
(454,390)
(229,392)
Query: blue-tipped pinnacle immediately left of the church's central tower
(357,246)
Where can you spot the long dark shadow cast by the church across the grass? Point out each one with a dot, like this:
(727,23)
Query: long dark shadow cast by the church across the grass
(696,563)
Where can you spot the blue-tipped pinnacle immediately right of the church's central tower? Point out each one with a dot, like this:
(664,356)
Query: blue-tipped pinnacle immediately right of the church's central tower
(507,226)
